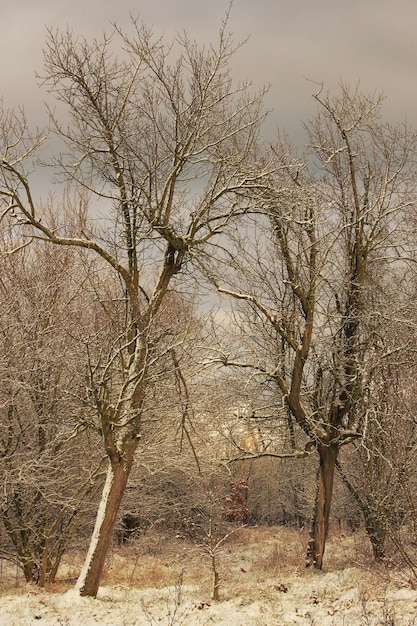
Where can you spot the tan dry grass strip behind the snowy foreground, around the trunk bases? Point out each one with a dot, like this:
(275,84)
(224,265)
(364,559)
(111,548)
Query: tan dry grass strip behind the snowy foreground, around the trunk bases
(254,560)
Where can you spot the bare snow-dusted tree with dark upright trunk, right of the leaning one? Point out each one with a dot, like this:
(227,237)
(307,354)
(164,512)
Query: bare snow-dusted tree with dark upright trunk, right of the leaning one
(333,217)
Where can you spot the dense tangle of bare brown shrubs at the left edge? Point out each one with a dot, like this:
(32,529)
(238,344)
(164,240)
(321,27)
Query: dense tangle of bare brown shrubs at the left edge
(48,472)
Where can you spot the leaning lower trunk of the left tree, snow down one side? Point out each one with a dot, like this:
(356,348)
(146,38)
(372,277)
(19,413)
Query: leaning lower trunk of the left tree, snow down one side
(117,476)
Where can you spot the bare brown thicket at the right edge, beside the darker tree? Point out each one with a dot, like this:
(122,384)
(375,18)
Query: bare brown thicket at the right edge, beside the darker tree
(379,470)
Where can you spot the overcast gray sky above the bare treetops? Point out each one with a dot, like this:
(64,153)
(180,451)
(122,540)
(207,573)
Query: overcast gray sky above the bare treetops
(371,41)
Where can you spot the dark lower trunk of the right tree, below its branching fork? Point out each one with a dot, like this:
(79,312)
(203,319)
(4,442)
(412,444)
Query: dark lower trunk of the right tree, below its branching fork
(320,524)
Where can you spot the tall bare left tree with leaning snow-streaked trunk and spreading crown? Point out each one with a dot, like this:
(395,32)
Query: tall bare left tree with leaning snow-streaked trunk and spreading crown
(165,141)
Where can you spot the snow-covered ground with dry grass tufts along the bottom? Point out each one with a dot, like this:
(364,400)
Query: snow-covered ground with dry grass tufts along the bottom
(261,587)
